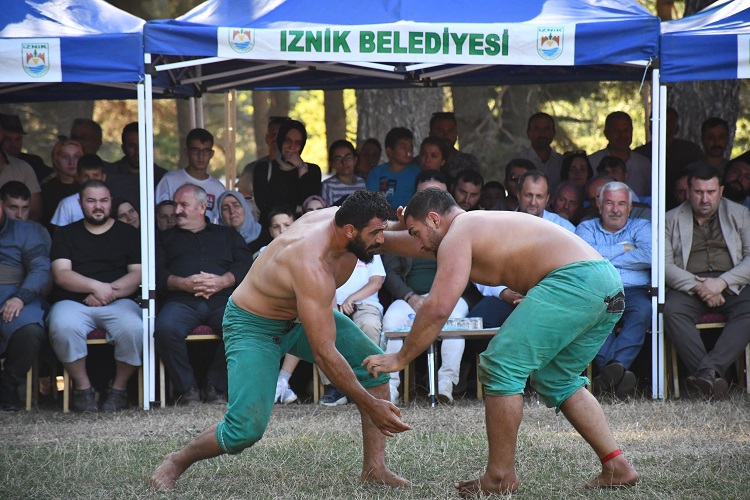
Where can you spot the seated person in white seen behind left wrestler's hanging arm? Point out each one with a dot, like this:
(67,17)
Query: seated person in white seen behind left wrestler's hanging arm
(358,299)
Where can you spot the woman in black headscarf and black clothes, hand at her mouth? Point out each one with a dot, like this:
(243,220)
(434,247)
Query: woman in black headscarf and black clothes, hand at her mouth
(288,179)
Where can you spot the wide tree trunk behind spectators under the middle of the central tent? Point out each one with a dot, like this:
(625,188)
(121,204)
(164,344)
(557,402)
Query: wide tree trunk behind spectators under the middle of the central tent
(379,110)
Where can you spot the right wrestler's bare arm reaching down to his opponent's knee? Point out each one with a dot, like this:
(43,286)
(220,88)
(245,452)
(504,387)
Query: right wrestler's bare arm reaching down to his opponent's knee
(453,270)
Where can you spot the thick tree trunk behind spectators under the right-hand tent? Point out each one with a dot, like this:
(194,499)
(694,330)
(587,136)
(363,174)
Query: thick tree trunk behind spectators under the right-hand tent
(697,101)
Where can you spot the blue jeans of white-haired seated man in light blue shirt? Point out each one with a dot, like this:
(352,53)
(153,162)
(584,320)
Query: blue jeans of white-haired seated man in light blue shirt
(625,346)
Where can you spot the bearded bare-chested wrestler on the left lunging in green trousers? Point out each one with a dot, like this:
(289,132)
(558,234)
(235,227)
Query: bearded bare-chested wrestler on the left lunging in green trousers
(284,305)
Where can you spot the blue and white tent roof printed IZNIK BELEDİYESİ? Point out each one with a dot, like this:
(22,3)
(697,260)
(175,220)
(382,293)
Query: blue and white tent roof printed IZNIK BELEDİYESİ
(598,39)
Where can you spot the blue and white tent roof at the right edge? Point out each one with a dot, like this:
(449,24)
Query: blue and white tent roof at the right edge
(713,44)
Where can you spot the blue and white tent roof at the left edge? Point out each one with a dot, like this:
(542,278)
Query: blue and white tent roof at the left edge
(76,41)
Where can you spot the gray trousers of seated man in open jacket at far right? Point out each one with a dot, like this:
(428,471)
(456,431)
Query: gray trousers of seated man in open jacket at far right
(682,311)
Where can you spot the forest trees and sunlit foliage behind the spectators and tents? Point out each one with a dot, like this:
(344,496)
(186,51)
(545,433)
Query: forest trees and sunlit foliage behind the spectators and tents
(492,120)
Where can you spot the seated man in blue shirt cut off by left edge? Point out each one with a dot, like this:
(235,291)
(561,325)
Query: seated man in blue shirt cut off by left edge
(24,273)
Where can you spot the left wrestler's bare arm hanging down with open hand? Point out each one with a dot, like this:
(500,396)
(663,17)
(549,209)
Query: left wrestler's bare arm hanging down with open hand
(311,287)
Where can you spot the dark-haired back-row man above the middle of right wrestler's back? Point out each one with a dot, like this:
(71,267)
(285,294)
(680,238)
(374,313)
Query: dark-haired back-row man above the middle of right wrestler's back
(540,130)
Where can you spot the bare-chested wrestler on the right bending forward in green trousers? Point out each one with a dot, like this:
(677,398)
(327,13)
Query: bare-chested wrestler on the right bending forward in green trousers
(572,299)
